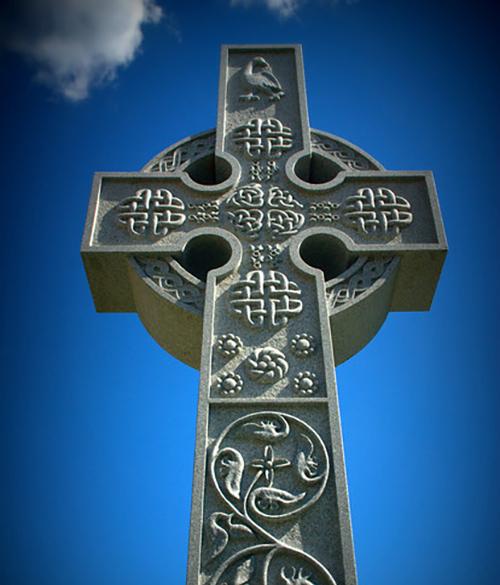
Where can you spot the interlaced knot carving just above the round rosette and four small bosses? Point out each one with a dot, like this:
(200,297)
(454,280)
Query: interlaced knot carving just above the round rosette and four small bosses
(266,298)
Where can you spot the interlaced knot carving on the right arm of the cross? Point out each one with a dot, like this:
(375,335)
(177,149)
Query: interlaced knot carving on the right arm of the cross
(377,211)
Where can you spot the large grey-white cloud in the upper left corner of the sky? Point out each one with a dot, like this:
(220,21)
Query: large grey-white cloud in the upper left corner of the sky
(76,44)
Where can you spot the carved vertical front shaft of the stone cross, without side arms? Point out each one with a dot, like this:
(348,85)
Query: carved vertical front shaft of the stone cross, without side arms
(269,459)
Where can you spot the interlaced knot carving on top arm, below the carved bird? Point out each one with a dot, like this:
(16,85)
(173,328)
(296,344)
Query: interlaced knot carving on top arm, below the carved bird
(266,137)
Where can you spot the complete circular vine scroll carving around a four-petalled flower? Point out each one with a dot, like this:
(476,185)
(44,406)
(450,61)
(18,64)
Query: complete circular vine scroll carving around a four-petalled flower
(230,470)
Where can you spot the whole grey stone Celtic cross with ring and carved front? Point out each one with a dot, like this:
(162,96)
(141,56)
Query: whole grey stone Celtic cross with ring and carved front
(257,252)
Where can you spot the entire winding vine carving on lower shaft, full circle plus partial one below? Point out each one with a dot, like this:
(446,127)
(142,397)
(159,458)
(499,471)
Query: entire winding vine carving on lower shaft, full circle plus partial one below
(263,486)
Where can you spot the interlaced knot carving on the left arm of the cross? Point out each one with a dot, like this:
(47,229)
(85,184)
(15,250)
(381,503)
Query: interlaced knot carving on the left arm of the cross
(155,212)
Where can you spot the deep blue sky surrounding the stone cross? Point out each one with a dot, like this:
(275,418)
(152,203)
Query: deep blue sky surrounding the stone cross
(98,422)
